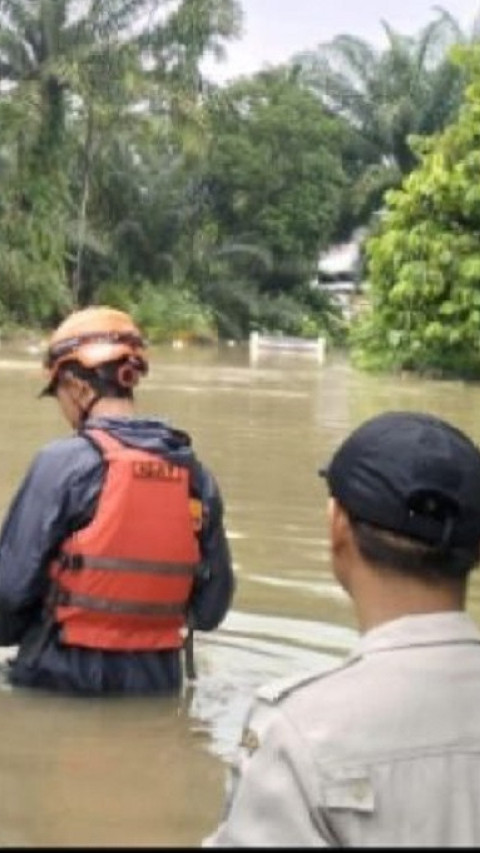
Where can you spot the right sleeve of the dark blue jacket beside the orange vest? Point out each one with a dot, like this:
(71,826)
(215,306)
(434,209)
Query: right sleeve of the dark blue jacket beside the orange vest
(213,589)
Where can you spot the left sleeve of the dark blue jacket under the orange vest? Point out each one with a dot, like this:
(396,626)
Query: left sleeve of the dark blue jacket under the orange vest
(43,510)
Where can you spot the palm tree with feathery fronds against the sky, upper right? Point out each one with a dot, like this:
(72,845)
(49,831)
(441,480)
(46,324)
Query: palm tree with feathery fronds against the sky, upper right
(385,96)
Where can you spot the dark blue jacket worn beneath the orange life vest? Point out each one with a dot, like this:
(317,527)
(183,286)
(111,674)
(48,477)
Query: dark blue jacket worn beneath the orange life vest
(59,495)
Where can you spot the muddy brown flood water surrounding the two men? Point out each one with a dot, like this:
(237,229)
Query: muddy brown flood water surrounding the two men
(149,771)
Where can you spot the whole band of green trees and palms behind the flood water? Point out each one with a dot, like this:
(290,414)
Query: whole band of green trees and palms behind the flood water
(128,177)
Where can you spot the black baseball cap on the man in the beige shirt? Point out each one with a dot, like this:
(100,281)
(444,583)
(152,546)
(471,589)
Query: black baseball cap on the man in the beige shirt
(413,474)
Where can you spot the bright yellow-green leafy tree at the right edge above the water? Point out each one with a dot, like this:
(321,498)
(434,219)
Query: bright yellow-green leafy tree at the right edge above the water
(424,261)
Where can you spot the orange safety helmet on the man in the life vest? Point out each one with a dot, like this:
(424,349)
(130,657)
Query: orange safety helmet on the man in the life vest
(94,336)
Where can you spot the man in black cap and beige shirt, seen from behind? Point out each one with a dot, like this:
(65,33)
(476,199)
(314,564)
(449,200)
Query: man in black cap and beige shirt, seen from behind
(383,750)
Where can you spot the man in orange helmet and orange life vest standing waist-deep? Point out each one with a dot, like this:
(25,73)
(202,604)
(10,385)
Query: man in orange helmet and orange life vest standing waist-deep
(114,544)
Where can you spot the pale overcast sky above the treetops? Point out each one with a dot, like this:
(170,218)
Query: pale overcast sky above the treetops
(274,30)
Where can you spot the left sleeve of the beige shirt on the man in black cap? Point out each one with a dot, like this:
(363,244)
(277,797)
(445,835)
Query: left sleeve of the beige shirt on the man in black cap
(272,787)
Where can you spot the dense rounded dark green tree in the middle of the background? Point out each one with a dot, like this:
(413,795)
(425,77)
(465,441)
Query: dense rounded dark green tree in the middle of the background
(272,177)
